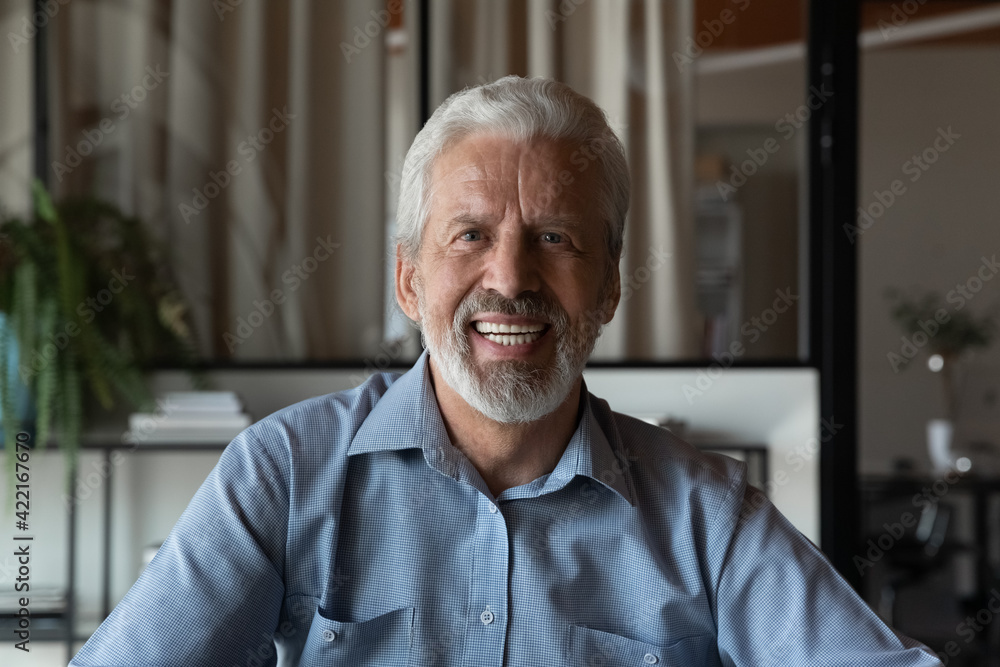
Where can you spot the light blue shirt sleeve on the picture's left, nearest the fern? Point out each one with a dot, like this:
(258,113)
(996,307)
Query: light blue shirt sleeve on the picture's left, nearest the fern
(214,589)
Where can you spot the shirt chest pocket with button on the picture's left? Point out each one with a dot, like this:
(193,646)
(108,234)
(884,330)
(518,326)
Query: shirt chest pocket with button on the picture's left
(383,641)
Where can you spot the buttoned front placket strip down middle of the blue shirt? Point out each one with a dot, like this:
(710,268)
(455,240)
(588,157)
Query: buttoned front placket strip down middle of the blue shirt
(488,608)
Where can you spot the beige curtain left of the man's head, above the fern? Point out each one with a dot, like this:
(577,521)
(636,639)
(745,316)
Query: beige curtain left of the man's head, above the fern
(258,157)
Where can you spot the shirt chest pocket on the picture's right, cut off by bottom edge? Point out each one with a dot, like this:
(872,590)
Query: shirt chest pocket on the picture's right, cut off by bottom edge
(592,648)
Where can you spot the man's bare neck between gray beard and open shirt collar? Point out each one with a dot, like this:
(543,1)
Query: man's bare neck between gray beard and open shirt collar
(506,455)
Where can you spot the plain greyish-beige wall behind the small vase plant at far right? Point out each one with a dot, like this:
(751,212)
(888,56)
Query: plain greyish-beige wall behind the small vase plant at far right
(931,237)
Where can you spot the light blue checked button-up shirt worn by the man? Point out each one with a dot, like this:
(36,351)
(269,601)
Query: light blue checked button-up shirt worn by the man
(347,530)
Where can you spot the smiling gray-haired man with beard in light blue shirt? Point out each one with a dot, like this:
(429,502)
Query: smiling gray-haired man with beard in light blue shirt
(484,508)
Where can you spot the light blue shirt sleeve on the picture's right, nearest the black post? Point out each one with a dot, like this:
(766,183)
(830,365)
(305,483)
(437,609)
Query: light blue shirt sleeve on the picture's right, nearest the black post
(781,602)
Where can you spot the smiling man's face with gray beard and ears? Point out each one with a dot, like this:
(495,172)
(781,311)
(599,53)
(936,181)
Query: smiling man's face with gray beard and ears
(513,279)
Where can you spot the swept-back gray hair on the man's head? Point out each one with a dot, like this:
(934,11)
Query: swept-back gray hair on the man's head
(521,110)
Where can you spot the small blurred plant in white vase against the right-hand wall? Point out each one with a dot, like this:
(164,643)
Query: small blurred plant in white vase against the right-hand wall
(928,321)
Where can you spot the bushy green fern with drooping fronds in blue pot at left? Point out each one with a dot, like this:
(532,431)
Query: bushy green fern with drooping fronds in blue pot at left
(89,305)
